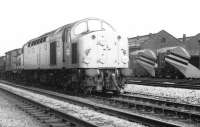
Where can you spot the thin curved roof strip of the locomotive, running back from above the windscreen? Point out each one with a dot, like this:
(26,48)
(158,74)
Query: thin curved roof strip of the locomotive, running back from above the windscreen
(68,26)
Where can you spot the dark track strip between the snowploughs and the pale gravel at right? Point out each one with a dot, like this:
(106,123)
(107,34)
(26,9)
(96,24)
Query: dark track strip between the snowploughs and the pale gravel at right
(175,83)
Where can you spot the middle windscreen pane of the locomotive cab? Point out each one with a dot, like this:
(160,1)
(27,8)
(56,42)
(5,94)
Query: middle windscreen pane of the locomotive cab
(94,25)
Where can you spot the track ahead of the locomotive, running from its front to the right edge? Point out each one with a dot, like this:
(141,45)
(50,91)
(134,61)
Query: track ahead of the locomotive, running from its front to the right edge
(166,107)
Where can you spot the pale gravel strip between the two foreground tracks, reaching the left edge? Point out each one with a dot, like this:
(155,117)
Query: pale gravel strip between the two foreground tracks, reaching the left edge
(83,113)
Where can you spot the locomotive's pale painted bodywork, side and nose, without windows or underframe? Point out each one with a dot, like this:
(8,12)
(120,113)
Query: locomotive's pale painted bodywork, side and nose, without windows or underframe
(95,49)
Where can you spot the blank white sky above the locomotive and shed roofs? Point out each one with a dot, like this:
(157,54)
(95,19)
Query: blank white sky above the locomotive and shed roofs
(22,20)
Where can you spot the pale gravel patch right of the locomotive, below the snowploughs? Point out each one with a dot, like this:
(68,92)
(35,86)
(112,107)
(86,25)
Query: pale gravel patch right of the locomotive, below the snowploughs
(180,95)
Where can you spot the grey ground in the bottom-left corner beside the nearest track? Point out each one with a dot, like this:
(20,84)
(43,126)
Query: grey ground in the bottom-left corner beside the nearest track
(11,116)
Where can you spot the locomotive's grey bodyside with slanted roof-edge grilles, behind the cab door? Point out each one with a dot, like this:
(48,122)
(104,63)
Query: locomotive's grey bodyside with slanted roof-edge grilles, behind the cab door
(37,53)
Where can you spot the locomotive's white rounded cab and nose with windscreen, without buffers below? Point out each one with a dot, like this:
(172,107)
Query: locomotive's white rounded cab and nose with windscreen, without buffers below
(99,45)
